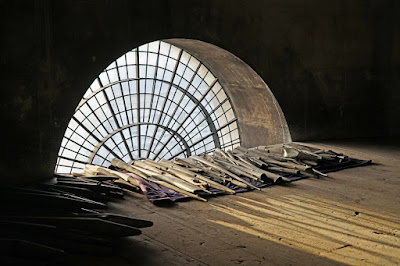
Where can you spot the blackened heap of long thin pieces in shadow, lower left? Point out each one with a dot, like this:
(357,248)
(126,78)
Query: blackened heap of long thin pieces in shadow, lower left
(53,223)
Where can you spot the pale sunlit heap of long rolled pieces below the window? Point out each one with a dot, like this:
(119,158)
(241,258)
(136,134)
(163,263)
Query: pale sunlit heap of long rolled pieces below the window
(222,172)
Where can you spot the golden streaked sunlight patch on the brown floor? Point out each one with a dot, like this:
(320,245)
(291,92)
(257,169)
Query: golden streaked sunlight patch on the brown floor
(318,226)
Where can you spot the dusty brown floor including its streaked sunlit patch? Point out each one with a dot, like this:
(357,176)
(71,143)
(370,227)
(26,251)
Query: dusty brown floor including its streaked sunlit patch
(351,217)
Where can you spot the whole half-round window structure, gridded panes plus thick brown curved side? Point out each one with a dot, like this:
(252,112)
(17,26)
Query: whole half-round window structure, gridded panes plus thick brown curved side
(242,95)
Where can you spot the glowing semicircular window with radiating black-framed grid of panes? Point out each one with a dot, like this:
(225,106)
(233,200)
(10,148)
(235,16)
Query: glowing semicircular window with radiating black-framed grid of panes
(157,102)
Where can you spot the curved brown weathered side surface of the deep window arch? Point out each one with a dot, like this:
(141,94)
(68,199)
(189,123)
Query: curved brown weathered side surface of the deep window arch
(260,118)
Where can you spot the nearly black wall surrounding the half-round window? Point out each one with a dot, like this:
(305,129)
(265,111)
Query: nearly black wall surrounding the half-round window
(332,65)
